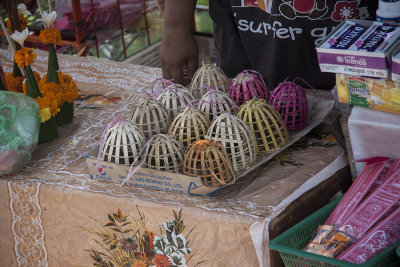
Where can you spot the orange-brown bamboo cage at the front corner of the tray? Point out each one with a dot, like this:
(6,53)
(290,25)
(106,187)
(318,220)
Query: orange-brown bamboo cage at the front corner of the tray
(209,161)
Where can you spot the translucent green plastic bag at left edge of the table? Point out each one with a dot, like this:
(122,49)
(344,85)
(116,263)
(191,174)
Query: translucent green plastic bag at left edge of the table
(19,130)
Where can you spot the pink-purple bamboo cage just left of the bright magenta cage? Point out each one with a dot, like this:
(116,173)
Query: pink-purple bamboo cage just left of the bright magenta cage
(247,85)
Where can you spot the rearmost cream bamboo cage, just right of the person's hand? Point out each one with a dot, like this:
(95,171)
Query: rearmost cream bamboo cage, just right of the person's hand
(208,75)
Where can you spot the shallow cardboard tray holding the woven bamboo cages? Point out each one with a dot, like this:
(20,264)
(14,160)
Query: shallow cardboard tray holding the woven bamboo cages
(175,182)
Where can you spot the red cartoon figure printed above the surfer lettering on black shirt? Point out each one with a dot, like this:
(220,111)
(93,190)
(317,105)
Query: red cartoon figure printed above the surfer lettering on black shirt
(312,9)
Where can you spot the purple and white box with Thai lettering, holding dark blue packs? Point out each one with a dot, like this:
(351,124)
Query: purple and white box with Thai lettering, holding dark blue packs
(362,63)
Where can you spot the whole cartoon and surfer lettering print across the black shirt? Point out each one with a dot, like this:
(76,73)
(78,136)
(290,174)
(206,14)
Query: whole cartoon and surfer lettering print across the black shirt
(294,11)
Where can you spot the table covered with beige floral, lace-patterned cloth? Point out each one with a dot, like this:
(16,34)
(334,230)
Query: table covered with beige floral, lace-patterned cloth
(51,211)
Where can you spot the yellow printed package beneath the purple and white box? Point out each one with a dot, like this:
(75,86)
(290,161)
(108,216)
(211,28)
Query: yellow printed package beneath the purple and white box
(377,94)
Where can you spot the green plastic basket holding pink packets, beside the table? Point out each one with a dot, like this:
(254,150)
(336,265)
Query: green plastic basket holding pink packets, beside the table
(290,243)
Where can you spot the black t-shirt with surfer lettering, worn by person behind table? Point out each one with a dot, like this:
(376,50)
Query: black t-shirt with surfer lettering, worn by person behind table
(278,38)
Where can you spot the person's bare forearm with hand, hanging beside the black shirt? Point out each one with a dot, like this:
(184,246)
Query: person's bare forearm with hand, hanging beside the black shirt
(178,48)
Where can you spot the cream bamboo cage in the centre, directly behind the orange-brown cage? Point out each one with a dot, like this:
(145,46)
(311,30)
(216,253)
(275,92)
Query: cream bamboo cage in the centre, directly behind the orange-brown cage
(189,125)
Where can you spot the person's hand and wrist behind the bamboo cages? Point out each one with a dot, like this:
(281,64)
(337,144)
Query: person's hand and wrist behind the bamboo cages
(178,55)
